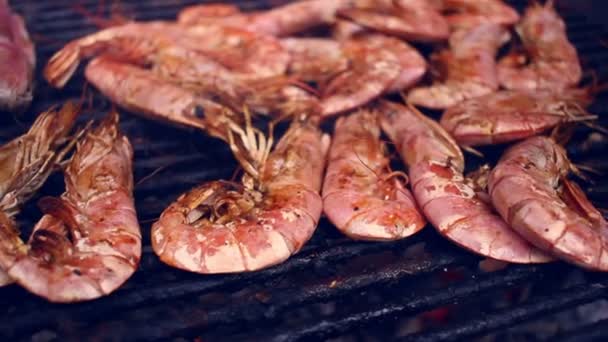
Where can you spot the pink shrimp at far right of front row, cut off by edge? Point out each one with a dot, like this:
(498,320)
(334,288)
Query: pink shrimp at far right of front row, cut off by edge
(530,190)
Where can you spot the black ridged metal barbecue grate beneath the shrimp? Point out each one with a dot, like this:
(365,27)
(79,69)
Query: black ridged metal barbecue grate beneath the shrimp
(419,289)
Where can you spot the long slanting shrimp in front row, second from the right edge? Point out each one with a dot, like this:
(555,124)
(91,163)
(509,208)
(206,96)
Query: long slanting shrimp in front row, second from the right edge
(436,167)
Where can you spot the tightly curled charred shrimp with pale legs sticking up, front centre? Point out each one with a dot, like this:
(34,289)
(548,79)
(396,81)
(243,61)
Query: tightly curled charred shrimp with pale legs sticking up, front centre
(222,227)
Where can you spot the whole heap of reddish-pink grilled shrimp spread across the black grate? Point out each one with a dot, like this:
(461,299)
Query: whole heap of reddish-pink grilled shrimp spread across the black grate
(315,64)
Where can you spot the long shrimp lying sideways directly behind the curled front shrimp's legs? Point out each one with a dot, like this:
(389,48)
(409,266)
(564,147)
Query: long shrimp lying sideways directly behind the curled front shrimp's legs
(172,92)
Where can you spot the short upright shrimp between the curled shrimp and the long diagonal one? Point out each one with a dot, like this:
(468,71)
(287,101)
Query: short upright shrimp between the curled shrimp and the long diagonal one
(361,196)
